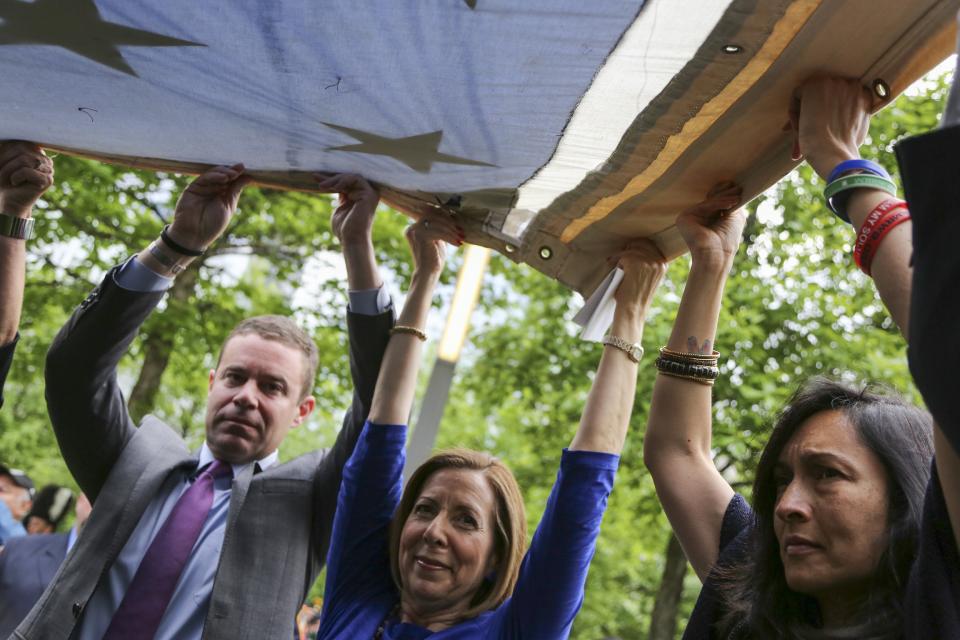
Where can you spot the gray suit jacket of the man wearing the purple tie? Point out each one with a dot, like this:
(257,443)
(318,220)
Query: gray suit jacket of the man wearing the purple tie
(279,521)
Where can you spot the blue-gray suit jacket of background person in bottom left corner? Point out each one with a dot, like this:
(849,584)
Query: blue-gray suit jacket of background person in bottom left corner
(27,565)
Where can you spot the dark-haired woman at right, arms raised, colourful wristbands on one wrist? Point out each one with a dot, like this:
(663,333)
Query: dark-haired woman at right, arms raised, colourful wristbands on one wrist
(849,533)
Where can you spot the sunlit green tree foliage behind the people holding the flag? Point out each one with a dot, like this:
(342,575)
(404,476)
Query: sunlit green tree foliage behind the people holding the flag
(795,306)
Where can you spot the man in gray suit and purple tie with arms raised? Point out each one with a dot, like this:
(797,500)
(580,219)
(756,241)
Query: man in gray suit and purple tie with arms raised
(263,528)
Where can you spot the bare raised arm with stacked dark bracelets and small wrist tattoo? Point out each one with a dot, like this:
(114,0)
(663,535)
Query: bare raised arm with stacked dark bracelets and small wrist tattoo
(677,448)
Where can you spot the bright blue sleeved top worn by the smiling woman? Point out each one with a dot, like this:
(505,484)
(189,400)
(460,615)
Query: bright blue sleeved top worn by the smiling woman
(360,593)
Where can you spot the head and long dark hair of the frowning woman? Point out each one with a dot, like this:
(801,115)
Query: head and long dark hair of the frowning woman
(867,530)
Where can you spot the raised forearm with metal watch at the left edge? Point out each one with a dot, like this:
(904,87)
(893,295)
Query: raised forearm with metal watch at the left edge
(25,174)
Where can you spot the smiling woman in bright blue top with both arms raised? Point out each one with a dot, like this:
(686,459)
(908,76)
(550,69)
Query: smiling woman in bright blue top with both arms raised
(446,559)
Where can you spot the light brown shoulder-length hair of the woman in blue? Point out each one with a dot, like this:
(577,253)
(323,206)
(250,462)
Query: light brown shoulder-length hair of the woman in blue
(510,534)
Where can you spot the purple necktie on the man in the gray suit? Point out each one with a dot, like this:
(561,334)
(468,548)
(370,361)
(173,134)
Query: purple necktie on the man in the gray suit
(152,587)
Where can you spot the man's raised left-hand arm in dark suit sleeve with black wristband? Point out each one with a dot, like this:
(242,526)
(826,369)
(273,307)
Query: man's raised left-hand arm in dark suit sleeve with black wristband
(86,407)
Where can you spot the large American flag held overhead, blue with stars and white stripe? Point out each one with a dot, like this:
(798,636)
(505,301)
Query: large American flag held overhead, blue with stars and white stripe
(554,128)
